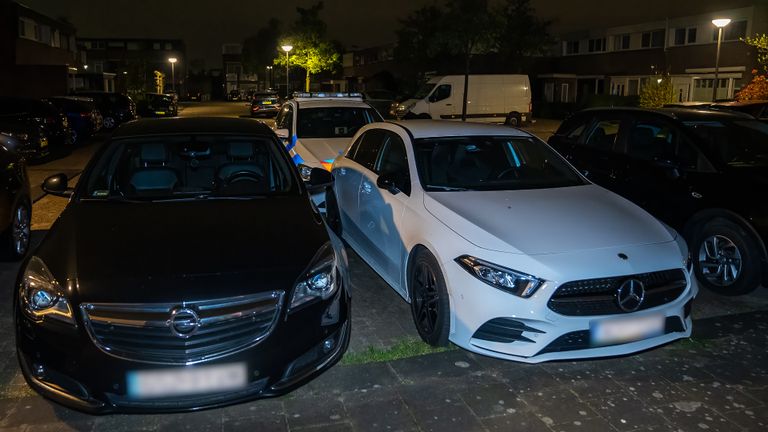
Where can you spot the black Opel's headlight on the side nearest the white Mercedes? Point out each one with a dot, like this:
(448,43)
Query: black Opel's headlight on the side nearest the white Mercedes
(320,280)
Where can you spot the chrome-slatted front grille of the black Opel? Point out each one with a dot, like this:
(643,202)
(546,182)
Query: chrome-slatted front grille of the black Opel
(144,332)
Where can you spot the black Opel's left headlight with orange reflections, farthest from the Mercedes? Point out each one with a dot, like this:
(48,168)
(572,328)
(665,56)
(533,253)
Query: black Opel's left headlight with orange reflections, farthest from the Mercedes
(41,295)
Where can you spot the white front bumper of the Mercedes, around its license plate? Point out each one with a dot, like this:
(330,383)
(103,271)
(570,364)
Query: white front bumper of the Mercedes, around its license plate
(539,333)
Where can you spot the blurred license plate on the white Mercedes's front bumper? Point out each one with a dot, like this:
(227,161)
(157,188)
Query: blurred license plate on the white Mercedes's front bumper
(613,331)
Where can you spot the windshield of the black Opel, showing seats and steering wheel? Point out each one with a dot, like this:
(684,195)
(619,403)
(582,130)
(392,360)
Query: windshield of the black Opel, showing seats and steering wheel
(189,167)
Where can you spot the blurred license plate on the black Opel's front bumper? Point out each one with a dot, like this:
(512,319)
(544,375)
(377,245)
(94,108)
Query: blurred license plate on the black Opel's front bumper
(186,381)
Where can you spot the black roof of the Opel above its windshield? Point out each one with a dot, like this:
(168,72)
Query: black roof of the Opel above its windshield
(190,125)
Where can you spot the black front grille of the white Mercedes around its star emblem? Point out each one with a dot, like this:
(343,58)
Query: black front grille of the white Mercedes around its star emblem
(598,296)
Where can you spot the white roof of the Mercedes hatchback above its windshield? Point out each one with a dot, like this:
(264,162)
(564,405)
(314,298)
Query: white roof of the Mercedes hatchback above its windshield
(444,128)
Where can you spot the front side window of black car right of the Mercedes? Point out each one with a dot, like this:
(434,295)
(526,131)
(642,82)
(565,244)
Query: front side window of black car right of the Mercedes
(652,141)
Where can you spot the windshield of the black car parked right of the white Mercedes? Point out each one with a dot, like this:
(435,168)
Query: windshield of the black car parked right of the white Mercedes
(736,143)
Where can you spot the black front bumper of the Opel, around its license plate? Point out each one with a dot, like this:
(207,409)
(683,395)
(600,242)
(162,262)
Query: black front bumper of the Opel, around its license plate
(62,363)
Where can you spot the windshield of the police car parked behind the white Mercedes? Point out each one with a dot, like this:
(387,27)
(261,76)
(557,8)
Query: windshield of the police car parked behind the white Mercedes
(333,122)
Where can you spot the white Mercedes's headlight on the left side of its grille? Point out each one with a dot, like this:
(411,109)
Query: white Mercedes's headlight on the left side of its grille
(508,280)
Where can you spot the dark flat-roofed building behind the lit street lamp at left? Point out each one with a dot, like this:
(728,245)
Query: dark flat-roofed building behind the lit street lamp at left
(128,65)
